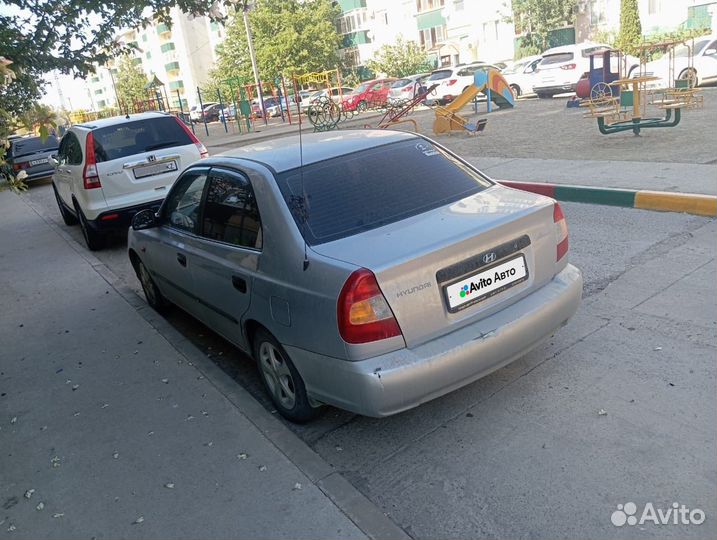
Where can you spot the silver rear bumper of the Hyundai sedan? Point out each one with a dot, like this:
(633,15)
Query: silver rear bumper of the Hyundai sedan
(394,382)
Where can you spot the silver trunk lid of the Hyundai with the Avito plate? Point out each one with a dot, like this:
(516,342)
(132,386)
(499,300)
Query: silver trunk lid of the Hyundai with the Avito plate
(448,267)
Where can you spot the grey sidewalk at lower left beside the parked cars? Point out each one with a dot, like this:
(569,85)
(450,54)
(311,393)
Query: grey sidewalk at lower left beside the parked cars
(114,427)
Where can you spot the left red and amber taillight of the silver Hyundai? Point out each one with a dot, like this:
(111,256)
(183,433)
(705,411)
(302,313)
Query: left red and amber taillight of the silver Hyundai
(362,310)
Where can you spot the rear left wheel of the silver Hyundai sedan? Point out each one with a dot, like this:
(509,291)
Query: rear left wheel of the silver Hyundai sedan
(281,379)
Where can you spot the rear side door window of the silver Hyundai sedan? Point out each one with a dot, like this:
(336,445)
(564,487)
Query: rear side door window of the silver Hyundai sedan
(231,213)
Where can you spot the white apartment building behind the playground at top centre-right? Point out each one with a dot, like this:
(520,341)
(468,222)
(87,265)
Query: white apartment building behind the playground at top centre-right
(451,31)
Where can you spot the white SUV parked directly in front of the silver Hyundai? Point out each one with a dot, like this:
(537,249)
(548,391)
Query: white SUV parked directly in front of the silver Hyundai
(108,170)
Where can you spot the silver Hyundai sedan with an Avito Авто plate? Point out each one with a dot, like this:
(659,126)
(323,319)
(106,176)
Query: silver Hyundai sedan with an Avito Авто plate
(371,270)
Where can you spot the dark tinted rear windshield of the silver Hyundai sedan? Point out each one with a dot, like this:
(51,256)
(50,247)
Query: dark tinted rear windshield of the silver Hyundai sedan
(358,192)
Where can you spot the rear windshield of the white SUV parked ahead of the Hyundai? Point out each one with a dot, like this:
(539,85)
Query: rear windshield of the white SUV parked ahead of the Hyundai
(122,140)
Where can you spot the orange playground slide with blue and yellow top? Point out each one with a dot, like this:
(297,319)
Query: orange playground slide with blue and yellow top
(488,81)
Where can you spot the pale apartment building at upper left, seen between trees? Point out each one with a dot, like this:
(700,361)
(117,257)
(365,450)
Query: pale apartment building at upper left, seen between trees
(179,56)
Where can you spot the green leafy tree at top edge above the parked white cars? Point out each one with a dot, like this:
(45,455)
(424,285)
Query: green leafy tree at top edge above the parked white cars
(535,19)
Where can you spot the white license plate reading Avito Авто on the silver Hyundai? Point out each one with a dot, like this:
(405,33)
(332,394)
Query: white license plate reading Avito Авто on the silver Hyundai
(486,283)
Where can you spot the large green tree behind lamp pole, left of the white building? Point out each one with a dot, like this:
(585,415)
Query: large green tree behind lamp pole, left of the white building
(289,37)
